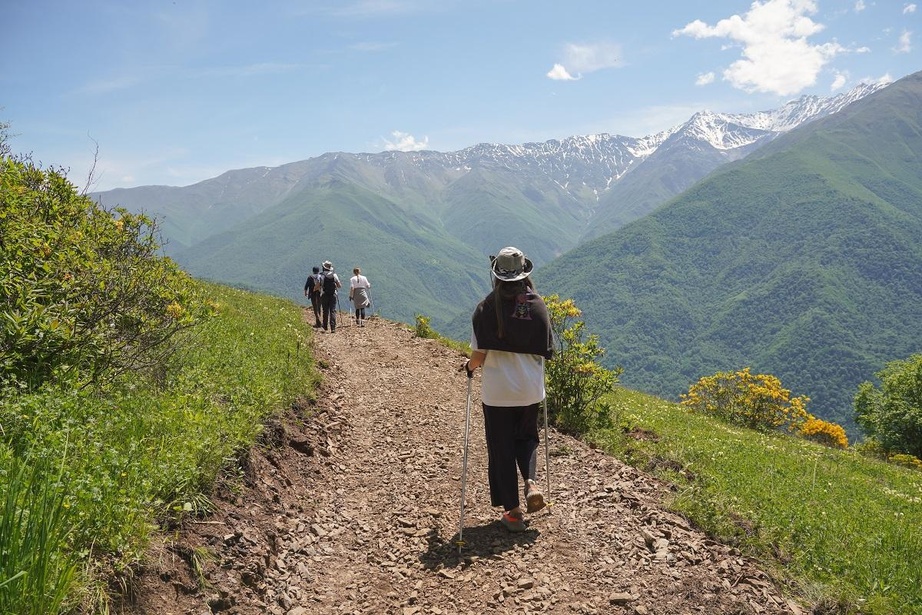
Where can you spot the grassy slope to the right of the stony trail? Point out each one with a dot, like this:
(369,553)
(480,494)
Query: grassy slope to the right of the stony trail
(842,528)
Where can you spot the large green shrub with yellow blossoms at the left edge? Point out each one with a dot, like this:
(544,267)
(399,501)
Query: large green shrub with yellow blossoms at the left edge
(84,294)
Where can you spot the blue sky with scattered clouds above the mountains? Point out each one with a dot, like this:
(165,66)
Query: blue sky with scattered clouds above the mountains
(175,92)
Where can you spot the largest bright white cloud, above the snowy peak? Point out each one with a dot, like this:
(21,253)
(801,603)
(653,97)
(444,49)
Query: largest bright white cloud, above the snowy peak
(776,54)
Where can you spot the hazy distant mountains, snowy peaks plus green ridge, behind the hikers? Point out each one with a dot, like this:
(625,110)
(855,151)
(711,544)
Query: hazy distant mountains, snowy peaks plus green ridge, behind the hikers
(548,197)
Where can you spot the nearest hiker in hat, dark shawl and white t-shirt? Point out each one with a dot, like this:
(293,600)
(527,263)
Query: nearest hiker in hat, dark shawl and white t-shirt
(511,339)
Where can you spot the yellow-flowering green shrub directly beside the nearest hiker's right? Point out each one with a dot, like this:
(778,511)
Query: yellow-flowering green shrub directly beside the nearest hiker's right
(575,379)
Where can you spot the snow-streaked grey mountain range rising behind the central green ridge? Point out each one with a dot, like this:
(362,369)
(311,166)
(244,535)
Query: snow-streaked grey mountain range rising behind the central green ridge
(571,190)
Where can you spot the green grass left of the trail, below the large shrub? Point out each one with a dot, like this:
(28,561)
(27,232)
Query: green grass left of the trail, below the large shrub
(112,466)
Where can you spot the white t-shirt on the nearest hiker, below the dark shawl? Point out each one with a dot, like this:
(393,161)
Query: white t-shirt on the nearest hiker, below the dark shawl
(511,378)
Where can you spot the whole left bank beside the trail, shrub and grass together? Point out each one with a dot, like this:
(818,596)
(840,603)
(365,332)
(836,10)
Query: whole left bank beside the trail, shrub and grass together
(126,389)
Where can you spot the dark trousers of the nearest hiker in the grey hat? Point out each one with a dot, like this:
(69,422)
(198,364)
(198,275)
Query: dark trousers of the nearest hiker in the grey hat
(512,443)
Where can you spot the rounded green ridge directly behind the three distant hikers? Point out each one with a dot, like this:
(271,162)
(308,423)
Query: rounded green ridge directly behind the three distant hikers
(337,222)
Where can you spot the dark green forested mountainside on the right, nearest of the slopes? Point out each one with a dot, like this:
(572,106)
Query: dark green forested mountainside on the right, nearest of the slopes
(803,261)
